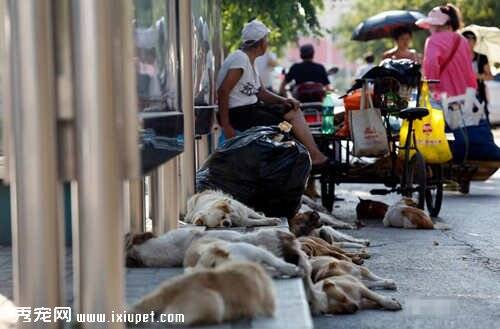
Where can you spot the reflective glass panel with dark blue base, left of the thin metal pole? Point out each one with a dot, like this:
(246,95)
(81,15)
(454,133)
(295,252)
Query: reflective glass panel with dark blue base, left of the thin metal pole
(157,63)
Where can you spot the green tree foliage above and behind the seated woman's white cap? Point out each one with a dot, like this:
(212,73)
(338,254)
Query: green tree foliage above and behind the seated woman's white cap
(287,19)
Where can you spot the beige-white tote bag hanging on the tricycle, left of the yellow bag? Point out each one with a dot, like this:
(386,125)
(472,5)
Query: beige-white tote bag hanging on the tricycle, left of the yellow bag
(368,132)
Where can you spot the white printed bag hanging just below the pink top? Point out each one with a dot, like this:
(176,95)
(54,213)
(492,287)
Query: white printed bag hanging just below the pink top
(462,110)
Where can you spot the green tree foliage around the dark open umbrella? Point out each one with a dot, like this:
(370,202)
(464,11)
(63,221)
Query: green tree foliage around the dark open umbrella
(480,12)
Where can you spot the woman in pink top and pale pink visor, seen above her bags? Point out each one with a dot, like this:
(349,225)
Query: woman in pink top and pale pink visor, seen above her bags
(447,56)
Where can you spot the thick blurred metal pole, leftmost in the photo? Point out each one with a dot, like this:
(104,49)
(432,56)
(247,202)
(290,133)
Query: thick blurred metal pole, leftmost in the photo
(36,192)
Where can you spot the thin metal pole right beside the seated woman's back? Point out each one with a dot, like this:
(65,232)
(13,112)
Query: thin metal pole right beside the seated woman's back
(186,68)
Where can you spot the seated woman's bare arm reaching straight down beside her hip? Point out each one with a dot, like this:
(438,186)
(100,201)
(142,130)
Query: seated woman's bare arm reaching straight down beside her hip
(230,81)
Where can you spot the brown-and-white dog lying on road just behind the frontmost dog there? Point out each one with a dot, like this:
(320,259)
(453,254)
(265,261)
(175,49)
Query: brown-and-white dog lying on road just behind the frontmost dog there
(324,267)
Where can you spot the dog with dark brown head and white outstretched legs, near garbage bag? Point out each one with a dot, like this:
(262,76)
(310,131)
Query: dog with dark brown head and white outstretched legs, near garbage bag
(309,224)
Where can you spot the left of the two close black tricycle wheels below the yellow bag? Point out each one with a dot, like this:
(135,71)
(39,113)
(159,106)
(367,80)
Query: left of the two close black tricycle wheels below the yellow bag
(413,182)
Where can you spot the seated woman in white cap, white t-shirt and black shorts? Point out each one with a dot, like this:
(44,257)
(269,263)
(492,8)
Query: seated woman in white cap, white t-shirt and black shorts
(244,103)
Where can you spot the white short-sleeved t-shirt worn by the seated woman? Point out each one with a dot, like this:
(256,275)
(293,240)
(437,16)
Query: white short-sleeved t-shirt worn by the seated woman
(246,89)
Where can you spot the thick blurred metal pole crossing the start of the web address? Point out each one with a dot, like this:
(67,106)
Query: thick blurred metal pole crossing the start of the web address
(99,168)
